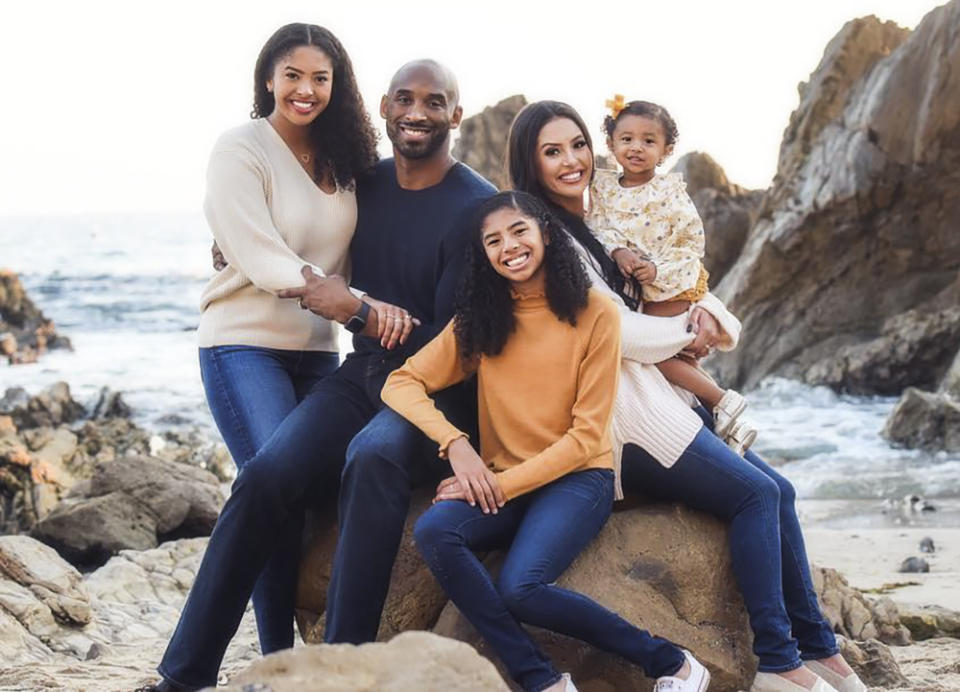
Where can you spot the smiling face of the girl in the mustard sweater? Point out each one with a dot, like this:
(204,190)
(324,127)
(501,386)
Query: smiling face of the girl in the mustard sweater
(515,246)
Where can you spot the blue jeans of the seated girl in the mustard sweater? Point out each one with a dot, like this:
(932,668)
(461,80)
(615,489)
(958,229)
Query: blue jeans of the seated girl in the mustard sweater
(544,530)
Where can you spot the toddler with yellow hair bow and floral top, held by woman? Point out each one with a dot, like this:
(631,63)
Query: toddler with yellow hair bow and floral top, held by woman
(651,228)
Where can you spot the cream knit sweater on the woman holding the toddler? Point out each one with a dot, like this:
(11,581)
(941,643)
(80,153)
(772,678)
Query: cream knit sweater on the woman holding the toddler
(649,411)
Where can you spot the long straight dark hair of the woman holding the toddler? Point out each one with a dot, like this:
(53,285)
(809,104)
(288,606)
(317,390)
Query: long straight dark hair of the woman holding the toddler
(523,170)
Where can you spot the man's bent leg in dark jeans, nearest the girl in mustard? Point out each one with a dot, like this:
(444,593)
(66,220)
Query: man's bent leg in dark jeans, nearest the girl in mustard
(385,461)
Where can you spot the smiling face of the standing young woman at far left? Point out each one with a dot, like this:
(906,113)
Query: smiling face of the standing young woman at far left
(302,82)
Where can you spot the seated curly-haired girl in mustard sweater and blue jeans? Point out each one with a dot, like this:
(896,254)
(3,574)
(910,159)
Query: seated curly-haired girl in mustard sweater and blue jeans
(545,349)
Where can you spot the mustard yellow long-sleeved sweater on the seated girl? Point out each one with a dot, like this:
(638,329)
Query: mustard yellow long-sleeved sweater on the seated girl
(545,401)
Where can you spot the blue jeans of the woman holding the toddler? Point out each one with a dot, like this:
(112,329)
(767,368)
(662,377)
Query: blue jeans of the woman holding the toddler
(766,543)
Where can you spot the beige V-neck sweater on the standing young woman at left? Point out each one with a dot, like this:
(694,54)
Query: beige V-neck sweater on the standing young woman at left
(269,219)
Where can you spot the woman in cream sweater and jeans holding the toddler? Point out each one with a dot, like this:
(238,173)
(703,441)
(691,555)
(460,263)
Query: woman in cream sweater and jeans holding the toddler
(678,458)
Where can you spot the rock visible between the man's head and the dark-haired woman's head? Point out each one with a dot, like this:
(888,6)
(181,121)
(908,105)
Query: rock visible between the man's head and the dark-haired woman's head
(482,144)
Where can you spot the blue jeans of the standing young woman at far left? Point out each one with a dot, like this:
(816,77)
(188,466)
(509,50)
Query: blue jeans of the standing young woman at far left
(250,390)
